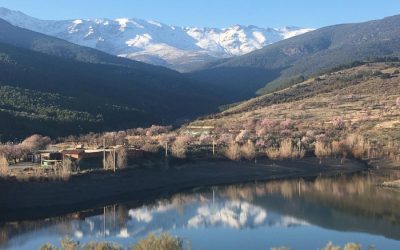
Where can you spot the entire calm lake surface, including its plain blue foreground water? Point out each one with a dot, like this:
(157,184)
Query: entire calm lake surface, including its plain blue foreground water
(262,214)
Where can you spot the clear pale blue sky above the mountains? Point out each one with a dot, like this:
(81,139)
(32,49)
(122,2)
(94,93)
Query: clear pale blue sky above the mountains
(214,13)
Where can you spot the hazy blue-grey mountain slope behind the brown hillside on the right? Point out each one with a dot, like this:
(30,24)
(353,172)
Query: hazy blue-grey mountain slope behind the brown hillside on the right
(290,61)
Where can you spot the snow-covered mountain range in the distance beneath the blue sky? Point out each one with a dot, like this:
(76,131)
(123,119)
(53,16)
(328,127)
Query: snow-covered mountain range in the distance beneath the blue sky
(180,48)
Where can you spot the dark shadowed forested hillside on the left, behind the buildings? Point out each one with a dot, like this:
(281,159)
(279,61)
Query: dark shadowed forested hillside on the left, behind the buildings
(56,96)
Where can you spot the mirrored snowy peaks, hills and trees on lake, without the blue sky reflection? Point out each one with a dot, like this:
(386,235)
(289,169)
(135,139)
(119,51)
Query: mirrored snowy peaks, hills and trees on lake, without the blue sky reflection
(352,203)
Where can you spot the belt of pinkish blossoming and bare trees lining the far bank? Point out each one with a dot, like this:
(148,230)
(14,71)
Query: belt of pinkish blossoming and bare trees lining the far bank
(284,138)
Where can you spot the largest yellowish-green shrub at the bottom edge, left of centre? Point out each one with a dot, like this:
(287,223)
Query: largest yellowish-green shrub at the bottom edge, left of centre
(161,242)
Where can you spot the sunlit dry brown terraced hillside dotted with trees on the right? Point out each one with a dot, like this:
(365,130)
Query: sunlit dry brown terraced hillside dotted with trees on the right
(351,111)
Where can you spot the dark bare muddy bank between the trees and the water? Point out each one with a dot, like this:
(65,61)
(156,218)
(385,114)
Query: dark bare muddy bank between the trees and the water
(34,199)
